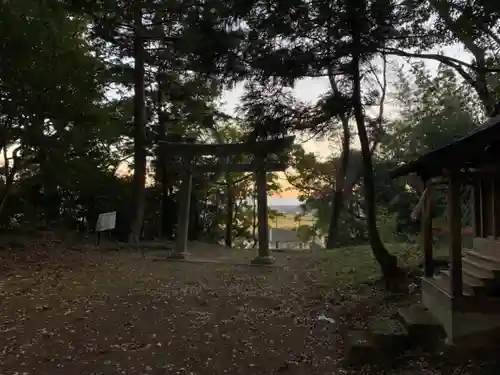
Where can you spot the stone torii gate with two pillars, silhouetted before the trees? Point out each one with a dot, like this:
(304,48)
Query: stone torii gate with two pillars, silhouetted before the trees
(266,156)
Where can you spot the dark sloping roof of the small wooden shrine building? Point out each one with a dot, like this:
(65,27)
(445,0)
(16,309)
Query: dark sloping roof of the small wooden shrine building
(477,147)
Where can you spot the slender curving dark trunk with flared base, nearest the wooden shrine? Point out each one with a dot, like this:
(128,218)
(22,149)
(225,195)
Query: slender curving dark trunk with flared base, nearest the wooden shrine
(388,263)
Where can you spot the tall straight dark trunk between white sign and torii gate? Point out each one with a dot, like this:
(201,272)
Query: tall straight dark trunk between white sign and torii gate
(139,179)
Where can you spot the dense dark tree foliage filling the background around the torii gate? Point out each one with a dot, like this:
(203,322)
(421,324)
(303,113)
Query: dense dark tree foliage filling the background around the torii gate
(89,90)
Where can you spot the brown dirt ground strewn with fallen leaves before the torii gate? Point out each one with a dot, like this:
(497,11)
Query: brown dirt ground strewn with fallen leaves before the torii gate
(95,312)
